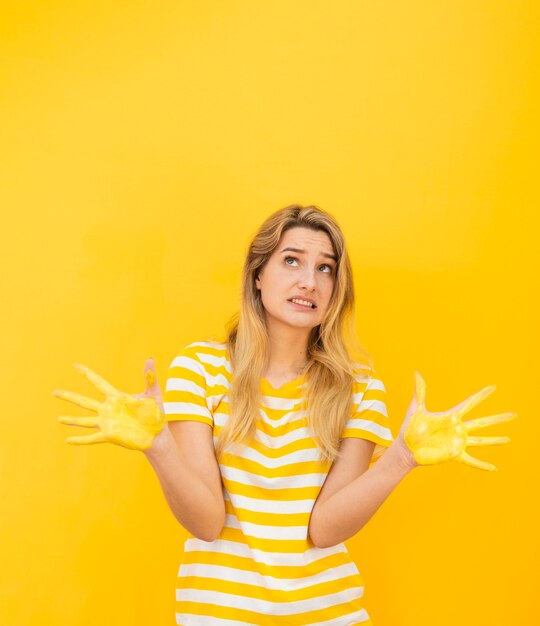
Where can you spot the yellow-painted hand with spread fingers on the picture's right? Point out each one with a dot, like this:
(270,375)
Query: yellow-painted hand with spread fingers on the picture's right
(443,436)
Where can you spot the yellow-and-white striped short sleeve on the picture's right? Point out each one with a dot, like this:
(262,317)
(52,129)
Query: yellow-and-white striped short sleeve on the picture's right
(369,419)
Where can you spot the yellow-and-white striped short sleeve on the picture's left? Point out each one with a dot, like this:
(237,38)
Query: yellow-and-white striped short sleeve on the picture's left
(185,390)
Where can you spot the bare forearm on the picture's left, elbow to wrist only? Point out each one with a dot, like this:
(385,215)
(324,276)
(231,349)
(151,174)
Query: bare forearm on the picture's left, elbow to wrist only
(189,498)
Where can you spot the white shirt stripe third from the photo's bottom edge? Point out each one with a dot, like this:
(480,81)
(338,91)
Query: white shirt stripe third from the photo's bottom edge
(231,574)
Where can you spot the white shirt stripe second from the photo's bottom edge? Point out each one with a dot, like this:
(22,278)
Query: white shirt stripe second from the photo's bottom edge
(265,607)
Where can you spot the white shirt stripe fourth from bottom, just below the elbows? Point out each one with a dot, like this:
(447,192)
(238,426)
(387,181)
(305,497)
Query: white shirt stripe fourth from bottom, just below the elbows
(274,559)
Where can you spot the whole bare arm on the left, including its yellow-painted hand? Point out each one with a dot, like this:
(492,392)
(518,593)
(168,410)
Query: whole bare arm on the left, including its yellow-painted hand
(181,454)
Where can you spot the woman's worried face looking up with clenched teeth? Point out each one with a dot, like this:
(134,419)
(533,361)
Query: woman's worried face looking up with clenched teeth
(302,266)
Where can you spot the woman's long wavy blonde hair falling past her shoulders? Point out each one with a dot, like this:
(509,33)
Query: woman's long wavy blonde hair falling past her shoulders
(335,356)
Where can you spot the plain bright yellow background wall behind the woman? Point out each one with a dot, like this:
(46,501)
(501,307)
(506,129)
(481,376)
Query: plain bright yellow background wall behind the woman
(141,146)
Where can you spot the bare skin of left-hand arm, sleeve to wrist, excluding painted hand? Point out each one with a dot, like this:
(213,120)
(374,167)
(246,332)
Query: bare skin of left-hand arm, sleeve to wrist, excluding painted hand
(183,459)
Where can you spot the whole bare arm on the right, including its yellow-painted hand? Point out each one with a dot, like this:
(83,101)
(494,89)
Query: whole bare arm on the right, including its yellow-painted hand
(425,438)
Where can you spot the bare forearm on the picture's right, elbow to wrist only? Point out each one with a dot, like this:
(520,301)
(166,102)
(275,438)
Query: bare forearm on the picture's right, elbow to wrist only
(348,510)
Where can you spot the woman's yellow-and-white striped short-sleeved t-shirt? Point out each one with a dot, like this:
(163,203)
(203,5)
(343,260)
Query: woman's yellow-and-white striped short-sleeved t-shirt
(263,569)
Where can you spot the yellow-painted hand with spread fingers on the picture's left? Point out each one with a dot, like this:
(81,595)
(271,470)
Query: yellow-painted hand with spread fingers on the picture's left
(131,421)
